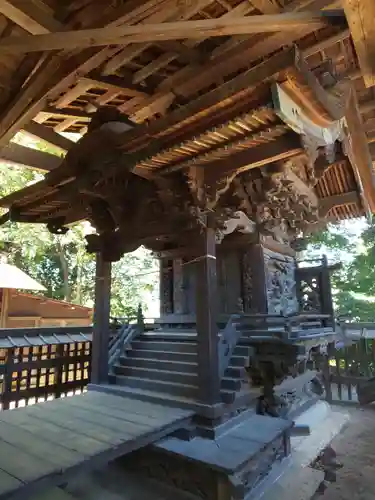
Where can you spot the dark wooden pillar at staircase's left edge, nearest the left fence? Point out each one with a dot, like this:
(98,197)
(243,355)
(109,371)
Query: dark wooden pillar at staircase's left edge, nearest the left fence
(99,356)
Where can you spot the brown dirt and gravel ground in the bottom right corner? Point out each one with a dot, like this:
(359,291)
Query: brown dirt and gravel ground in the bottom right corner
(355,448)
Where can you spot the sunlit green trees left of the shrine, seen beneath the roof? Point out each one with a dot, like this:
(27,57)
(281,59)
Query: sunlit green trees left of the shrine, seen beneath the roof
(61,262)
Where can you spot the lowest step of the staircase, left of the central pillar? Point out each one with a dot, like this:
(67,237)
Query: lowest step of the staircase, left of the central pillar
(183,390)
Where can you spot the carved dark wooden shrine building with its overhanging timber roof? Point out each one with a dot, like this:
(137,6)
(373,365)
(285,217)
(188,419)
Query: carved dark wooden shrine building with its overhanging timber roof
(217,133)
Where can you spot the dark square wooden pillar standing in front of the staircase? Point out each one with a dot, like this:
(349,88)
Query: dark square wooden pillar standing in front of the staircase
(206,318)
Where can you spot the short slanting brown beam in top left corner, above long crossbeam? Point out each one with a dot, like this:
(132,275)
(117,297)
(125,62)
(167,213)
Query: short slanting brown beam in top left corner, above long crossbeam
(33,16)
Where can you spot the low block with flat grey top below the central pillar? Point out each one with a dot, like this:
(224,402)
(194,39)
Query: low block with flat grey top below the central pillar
(227,467)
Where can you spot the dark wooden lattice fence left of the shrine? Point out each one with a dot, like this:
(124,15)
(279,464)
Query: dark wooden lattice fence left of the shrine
(43,363)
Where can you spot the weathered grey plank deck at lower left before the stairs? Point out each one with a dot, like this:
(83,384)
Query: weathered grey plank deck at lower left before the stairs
(41,445)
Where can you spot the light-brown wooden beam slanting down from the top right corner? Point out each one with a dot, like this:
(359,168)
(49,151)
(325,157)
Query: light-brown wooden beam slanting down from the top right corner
(360,15)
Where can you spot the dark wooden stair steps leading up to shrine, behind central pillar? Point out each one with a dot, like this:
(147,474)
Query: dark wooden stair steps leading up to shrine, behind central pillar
(165,362)
